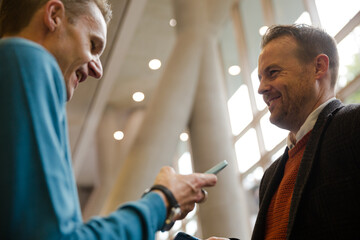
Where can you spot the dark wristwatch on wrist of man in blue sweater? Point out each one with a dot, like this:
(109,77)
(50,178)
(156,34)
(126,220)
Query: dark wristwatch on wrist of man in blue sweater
(174,210)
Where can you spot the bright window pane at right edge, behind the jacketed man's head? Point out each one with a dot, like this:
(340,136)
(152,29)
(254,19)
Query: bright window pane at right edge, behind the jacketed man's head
(349,54)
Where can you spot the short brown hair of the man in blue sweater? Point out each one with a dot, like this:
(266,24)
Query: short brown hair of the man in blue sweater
(12,22)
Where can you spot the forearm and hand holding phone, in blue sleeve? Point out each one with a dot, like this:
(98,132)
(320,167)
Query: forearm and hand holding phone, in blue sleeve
(141,219)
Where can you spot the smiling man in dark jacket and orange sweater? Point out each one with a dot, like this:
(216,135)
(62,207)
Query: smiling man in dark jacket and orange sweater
(312,191)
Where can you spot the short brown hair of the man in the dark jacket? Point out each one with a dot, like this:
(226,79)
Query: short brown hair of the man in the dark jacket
(311,42)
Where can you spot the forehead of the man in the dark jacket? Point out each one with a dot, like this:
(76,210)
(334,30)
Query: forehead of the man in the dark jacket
(279,50)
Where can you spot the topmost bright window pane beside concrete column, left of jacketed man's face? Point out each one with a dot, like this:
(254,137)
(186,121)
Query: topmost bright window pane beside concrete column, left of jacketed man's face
(240,110)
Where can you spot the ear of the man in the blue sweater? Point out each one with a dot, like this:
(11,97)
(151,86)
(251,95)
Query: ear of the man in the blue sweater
(54,14)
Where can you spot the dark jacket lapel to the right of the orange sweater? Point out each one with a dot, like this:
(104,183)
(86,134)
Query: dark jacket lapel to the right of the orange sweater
(309,157)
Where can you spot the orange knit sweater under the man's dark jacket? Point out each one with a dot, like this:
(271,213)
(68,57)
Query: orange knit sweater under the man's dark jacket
(278,213)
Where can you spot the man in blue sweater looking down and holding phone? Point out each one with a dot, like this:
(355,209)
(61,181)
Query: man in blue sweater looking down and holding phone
(47,48)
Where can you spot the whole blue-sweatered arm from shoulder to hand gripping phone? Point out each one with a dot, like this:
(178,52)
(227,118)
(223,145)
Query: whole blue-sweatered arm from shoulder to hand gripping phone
(39,190)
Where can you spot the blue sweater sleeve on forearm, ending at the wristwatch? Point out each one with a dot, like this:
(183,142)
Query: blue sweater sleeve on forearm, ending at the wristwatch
(133,220)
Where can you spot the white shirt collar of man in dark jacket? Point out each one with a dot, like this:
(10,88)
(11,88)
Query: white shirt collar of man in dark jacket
(308,124)
